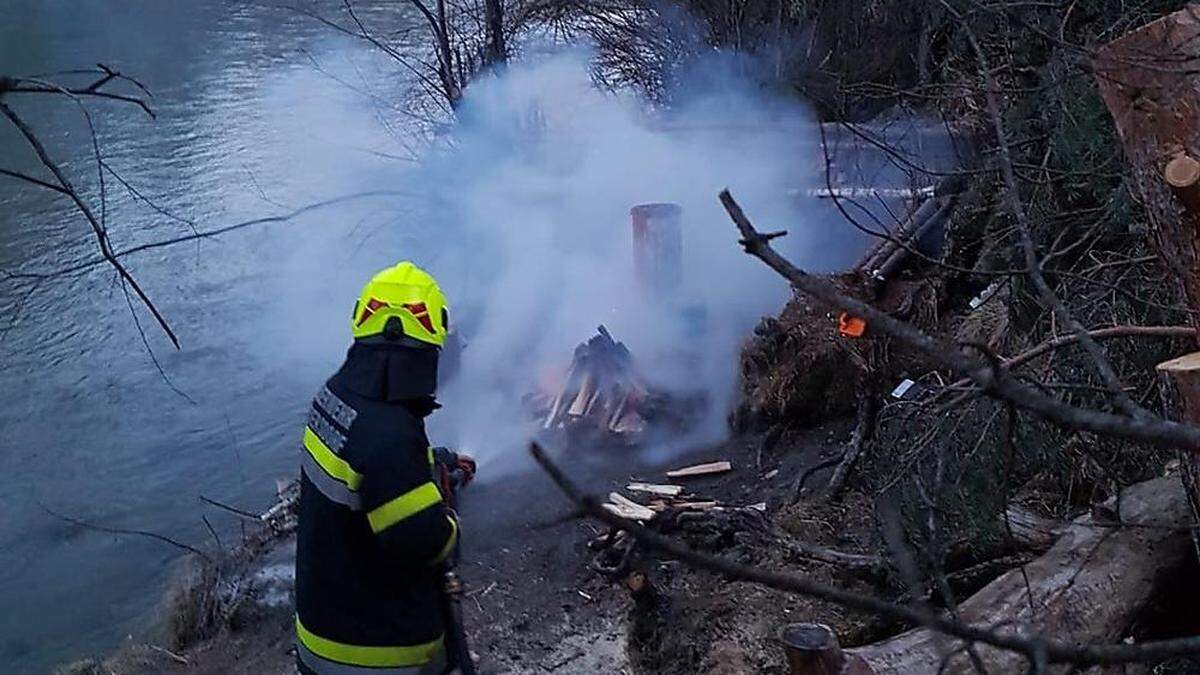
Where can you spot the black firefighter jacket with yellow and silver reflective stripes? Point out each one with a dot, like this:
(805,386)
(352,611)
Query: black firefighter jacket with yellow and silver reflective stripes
(374,530)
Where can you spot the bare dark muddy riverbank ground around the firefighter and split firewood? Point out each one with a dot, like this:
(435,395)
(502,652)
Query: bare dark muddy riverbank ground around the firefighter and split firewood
(535,606)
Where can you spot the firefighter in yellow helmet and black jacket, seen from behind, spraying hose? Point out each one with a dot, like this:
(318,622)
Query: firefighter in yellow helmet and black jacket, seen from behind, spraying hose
(375,528)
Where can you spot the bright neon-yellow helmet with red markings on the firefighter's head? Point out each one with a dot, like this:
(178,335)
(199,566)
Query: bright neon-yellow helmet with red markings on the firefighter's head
(409,294)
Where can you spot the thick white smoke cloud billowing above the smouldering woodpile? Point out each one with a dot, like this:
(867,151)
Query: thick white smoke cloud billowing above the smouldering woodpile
(533,192)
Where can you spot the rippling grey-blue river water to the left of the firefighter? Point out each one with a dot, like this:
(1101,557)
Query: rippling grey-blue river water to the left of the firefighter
(260,111)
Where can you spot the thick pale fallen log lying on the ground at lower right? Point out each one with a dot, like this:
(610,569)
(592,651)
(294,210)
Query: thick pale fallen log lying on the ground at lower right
(1089,588)
